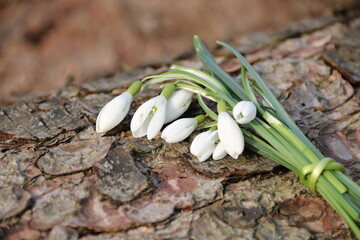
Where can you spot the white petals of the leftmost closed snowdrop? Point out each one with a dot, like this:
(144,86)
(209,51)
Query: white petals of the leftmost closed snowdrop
(113,112)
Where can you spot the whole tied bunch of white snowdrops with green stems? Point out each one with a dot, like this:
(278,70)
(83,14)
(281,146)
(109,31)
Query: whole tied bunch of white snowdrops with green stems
(248,114)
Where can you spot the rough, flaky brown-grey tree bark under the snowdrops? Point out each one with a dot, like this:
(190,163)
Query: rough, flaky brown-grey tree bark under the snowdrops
(61,180)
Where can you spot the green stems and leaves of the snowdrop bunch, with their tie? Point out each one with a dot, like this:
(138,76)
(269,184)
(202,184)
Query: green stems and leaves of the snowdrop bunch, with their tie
(272,133)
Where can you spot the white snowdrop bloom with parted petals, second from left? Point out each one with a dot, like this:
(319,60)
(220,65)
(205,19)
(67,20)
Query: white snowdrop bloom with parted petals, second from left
(149,118)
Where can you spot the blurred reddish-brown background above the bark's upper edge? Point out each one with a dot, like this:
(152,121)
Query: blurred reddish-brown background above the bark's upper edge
(44,44)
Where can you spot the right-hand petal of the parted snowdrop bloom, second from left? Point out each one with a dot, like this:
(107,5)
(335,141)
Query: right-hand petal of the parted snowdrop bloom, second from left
(158,119)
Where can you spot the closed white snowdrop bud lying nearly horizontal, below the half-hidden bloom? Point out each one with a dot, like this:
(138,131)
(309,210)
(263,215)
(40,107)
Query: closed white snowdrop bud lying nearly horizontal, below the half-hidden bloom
(179,130)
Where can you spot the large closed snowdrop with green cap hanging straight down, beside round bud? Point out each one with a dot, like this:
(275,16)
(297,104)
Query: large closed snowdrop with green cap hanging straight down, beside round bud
(230,134)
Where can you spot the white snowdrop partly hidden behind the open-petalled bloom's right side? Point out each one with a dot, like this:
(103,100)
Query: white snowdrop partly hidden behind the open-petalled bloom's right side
(177,104)
